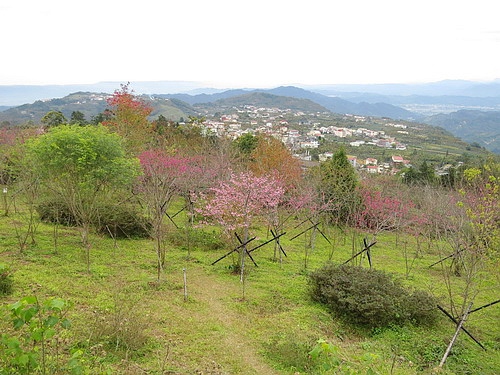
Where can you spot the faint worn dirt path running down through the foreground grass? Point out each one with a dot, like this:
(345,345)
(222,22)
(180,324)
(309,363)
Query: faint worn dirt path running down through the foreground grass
(212,292)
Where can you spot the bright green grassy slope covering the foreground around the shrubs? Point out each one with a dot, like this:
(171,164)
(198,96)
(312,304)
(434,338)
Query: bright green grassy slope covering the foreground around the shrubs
(216,331)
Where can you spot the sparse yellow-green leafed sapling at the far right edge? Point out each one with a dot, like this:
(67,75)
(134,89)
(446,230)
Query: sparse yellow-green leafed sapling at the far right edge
(474,233)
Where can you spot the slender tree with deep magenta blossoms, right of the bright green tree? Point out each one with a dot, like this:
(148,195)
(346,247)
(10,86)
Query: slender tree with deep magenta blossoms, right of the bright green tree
(163,177)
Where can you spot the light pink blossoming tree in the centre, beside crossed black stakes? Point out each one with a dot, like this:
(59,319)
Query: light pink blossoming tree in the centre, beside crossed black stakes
(235,203)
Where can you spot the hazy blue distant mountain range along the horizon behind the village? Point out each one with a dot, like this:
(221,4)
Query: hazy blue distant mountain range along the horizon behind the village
(469,110)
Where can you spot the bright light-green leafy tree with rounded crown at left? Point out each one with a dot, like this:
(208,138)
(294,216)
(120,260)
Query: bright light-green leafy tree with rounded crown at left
(81,166)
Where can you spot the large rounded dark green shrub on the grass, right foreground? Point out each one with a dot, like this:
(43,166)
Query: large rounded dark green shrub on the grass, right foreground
(370,297)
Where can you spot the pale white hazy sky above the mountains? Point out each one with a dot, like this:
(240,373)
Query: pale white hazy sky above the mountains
(239,43)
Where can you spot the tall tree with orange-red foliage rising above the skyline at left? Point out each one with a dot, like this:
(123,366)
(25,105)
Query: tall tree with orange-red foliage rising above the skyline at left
(129,118)
